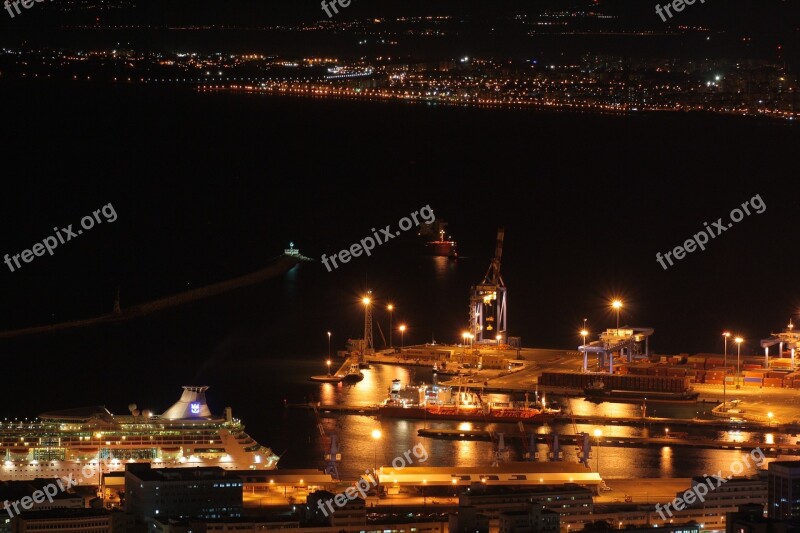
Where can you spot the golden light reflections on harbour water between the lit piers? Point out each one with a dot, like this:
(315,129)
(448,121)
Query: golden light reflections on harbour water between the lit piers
(360,451)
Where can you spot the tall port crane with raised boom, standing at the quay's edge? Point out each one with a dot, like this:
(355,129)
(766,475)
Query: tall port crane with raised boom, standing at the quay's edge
(487,302)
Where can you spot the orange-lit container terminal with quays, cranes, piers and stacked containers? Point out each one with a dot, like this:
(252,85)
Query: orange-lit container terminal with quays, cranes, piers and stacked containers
(751,395)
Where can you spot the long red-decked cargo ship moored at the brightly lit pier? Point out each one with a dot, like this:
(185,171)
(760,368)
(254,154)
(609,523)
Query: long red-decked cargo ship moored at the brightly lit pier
(436,402)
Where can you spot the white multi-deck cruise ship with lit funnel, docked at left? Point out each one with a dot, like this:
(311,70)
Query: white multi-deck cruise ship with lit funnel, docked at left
(92,439)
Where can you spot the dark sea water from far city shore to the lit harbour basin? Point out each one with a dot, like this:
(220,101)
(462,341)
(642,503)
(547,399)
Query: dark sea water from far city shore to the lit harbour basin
(211,186)
